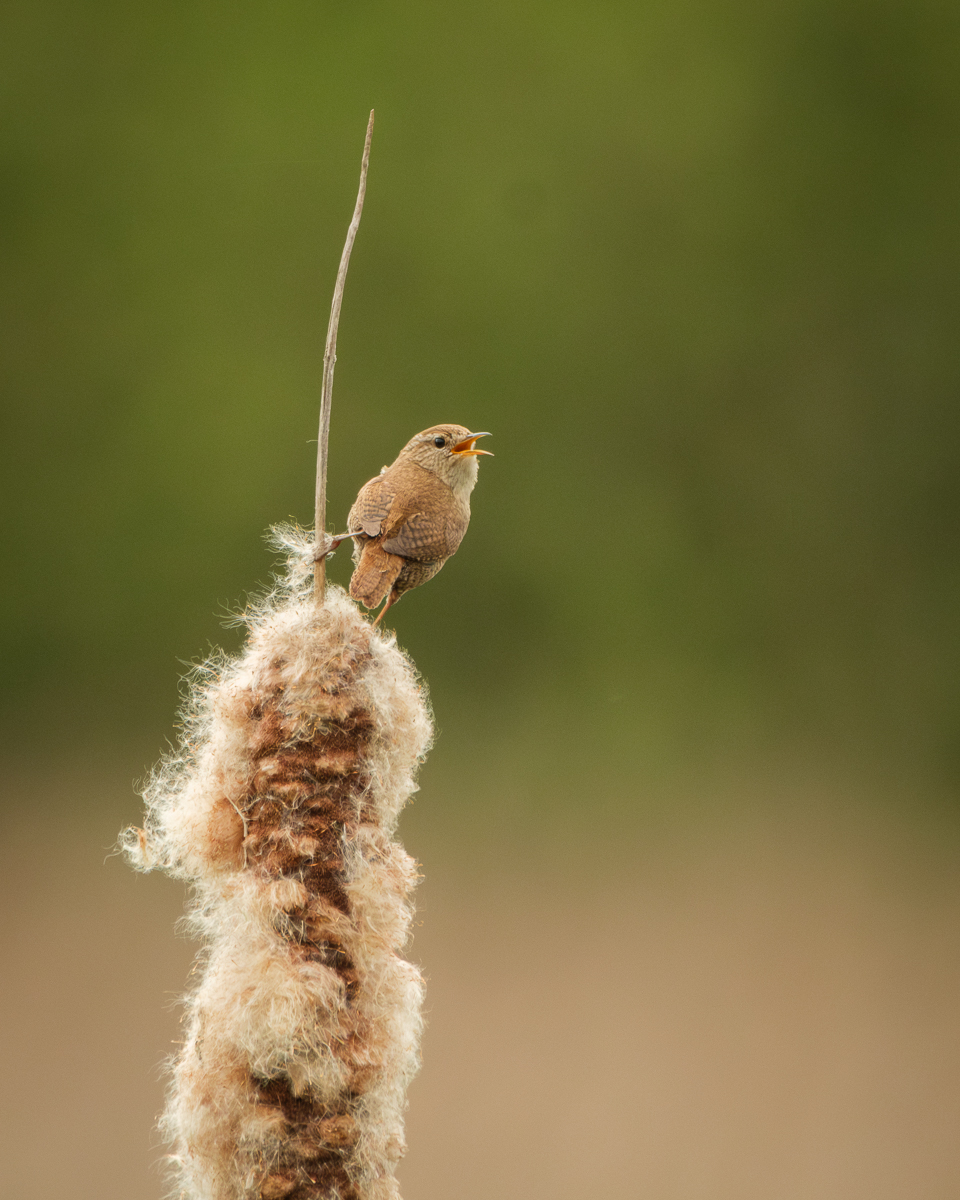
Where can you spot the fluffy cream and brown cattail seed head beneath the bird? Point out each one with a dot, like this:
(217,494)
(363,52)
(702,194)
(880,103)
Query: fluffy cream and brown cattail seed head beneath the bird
(280,809)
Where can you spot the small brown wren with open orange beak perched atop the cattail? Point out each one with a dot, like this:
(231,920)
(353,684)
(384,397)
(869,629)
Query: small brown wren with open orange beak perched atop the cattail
(412,518)
